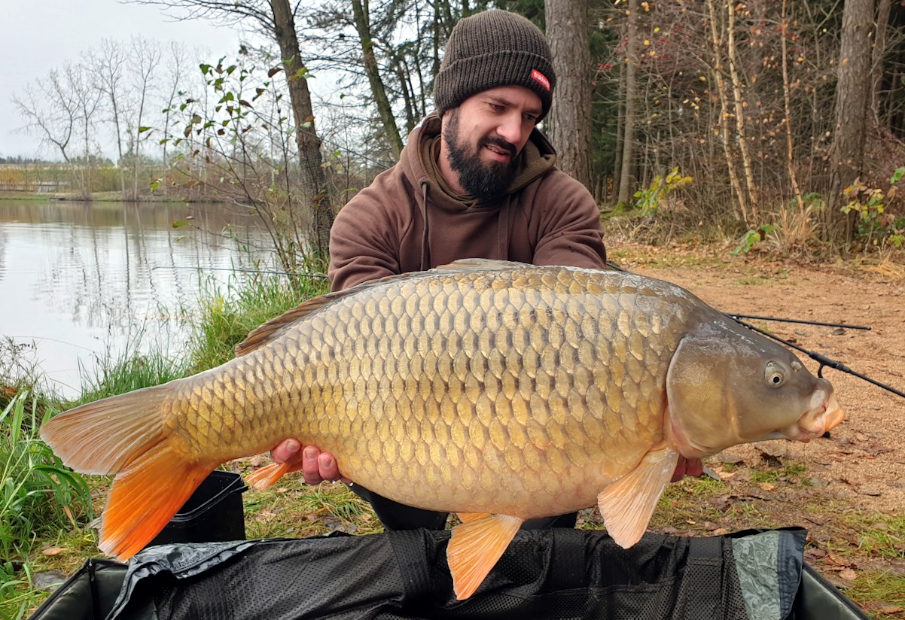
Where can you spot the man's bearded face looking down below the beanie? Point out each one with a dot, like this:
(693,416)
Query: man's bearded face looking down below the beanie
(483,136)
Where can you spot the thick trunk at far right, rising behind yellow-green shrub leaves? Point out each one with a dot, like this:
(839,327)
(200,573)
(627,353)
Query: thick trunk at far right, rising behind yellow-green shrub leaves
(852,92)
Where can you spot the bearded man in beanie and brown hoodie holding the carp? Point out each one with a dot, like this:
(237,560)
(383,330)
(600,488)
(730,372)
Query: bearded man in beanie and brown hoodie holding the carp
(476,179)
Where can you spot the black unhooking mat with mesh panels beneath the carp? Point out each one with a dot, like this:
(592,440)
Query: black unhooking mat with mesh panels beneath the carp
(558,573)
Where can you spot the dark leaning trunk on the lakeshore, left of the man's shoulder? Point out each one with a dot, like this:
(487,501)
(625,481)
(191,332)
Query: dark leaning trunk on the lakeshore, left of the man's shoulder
(313,180)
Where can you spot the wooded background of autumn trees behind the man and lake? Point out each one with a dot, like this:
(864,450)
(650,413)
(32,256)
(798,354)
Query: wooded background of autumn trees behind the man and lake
(778,122)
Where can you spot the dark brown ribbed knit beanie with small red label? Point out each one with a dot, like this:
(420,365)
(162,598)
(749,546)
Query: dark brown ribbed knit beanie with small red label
(491,49)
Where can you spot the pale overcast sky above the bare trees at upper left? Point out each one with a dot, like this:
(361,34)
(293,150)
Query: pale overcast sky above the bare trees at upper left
(41,35)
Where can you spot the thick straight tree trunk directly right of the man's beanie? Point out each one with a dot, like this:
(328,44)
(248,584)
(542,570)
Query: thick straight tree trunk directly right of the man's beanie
(569,121)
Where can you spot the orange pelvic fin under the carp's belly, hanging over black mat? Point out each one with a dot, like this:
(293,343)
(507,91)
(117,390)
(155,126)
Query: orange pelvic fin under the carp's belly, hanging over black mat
(475,547)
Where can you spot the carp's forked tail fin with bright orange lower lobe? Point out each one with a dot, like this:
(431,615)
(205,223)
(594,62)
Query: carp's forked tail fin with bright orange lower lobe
(126,435)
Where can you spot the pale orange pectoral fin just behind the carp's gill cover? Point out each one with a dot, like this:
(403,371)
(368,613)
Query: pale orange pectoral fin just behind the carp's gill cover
(628,503)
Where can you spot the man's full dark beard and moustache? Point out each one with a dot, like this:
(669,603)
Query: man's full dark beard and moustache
(485,181)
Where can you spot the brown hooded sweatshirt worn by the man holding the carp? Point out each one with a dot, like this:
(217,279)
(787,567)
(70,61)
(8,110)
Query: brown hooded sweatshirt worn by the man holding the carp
(408,219)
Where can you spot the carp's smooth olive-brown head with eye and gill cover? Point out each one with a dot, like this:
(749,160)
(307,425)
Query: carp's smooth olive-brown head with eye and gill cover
(728,385)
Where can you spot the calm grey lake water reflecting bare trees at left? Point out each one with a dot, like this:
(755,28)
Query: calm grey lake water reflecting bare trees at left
(81,281)
